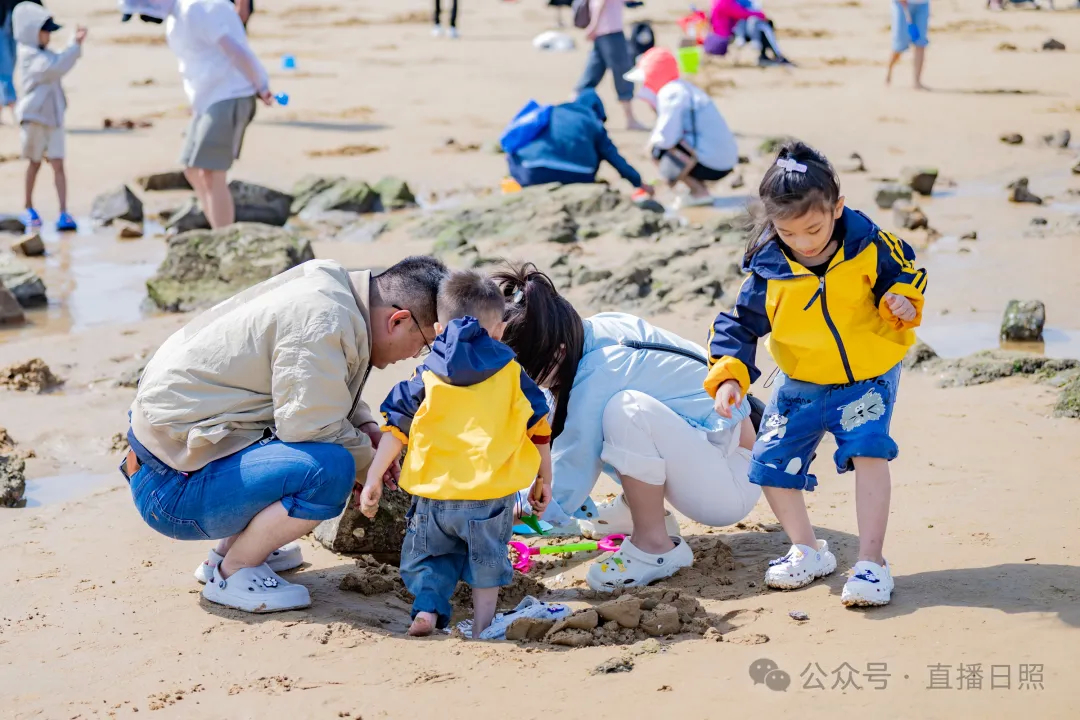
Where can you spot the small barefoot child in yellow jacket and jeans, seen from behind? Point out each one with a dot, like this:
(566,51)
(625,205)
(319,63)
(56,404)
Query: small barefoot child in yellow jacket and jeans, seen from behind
(477,430)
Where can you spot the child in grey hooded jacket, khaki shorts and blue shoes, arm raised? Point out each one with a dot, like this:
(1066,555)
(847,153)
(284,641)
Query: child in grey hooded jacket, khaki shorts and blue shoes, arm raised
(42,108)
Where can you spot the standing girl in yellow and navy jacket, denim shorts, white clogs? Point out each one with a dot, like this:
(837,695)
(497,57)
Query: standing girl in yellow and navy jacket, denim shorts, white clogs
(840,300)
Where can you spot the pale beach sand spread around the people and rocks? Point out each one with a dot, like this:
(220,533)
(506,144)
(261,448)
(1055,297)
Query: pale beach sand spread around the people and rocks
(101,618)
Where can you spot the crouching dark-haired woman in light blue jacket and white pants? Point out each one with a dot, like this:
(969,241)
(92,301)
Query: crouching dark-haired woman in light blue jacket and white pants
(630,402)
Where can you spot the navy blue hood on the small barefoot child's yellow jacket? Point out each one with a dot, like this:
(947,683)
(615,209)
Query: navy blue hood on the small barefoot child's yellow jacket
(465,355)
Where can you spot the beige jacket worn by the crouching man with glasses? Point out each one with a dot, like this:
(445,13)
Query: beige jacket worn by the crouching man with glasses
(292,355)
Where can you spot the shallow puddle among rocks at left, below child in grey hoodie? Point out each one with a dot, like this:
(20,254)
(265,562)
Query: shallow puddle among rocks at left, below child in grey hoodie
(93,279)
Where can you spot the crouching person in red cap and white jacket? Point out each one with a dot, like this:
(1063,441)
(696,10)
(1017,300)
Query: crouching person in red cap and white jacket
(692,143)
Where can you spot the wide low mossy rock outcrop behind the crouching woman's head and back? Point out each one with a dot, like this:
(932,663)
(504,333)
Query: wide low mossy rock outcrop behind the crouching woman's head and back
(667,262)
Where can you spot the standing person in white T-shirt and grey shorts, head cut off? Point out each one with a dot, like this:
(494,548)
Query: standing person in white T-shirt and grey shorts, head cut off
(223,78)
